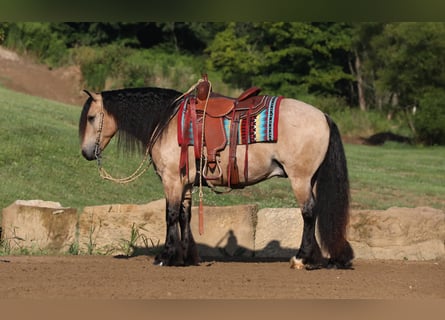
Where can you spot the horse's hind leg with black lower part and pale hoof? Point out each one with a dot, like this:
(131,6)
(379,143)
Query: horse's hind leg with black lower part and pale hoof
(309,254)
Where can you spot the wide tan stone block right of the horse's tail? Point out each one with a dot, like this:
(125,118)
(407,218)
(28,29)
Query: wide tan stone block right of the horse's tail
(398,233)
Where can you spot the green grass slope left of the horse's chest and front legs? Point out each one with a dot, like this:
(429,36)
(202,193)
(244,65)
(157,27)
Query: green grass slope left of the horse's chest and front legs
(40,158)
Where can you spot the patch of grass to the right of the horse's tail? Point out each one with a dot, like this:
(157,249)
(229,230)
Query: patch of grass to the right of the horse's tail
(396,175)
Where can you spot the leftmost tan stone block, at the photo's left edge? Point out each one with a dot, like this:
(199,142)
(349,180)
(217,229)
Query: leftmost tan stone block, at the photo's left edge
(38,226)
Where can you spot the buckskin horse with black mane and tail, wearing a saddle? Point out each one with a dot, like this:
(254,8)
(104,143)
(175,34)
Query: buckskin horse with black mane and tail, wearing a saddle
(307,149)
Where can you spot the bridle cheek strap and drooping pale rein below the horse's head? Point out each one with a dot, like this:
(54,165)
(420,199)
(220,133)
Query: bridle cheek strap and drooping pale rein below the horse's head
(97,153)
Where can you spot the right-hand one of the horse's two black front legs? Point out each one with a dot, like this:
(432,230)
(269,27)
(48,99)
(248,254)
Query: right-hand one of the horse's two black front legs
(189,247)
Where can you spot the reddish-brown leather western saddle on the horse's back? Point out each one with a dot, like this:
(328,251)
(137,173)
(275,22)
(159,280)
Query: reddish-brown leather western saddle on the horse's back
(206,111)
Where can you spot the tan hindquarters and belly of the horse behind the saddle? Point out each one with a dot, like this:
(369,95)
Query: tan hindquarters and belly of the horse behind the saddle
(302,142)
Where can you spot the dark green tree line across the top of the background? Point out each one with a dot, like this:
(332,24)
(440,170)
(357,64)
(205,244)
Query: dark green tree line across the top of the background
(390,67)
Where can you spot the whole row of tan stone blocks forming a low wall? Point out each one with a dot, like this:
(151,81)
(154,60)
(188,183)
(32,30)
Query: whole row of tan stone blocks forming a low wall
(235,232)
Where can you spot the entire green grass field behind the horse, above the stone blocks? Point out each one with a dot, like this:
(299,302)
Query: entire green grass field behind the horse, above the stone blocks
(40,159)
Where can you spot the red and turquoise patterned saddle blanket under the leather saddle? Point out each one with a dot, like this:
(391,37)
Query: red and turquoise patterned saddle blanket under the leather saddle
(262,127)
